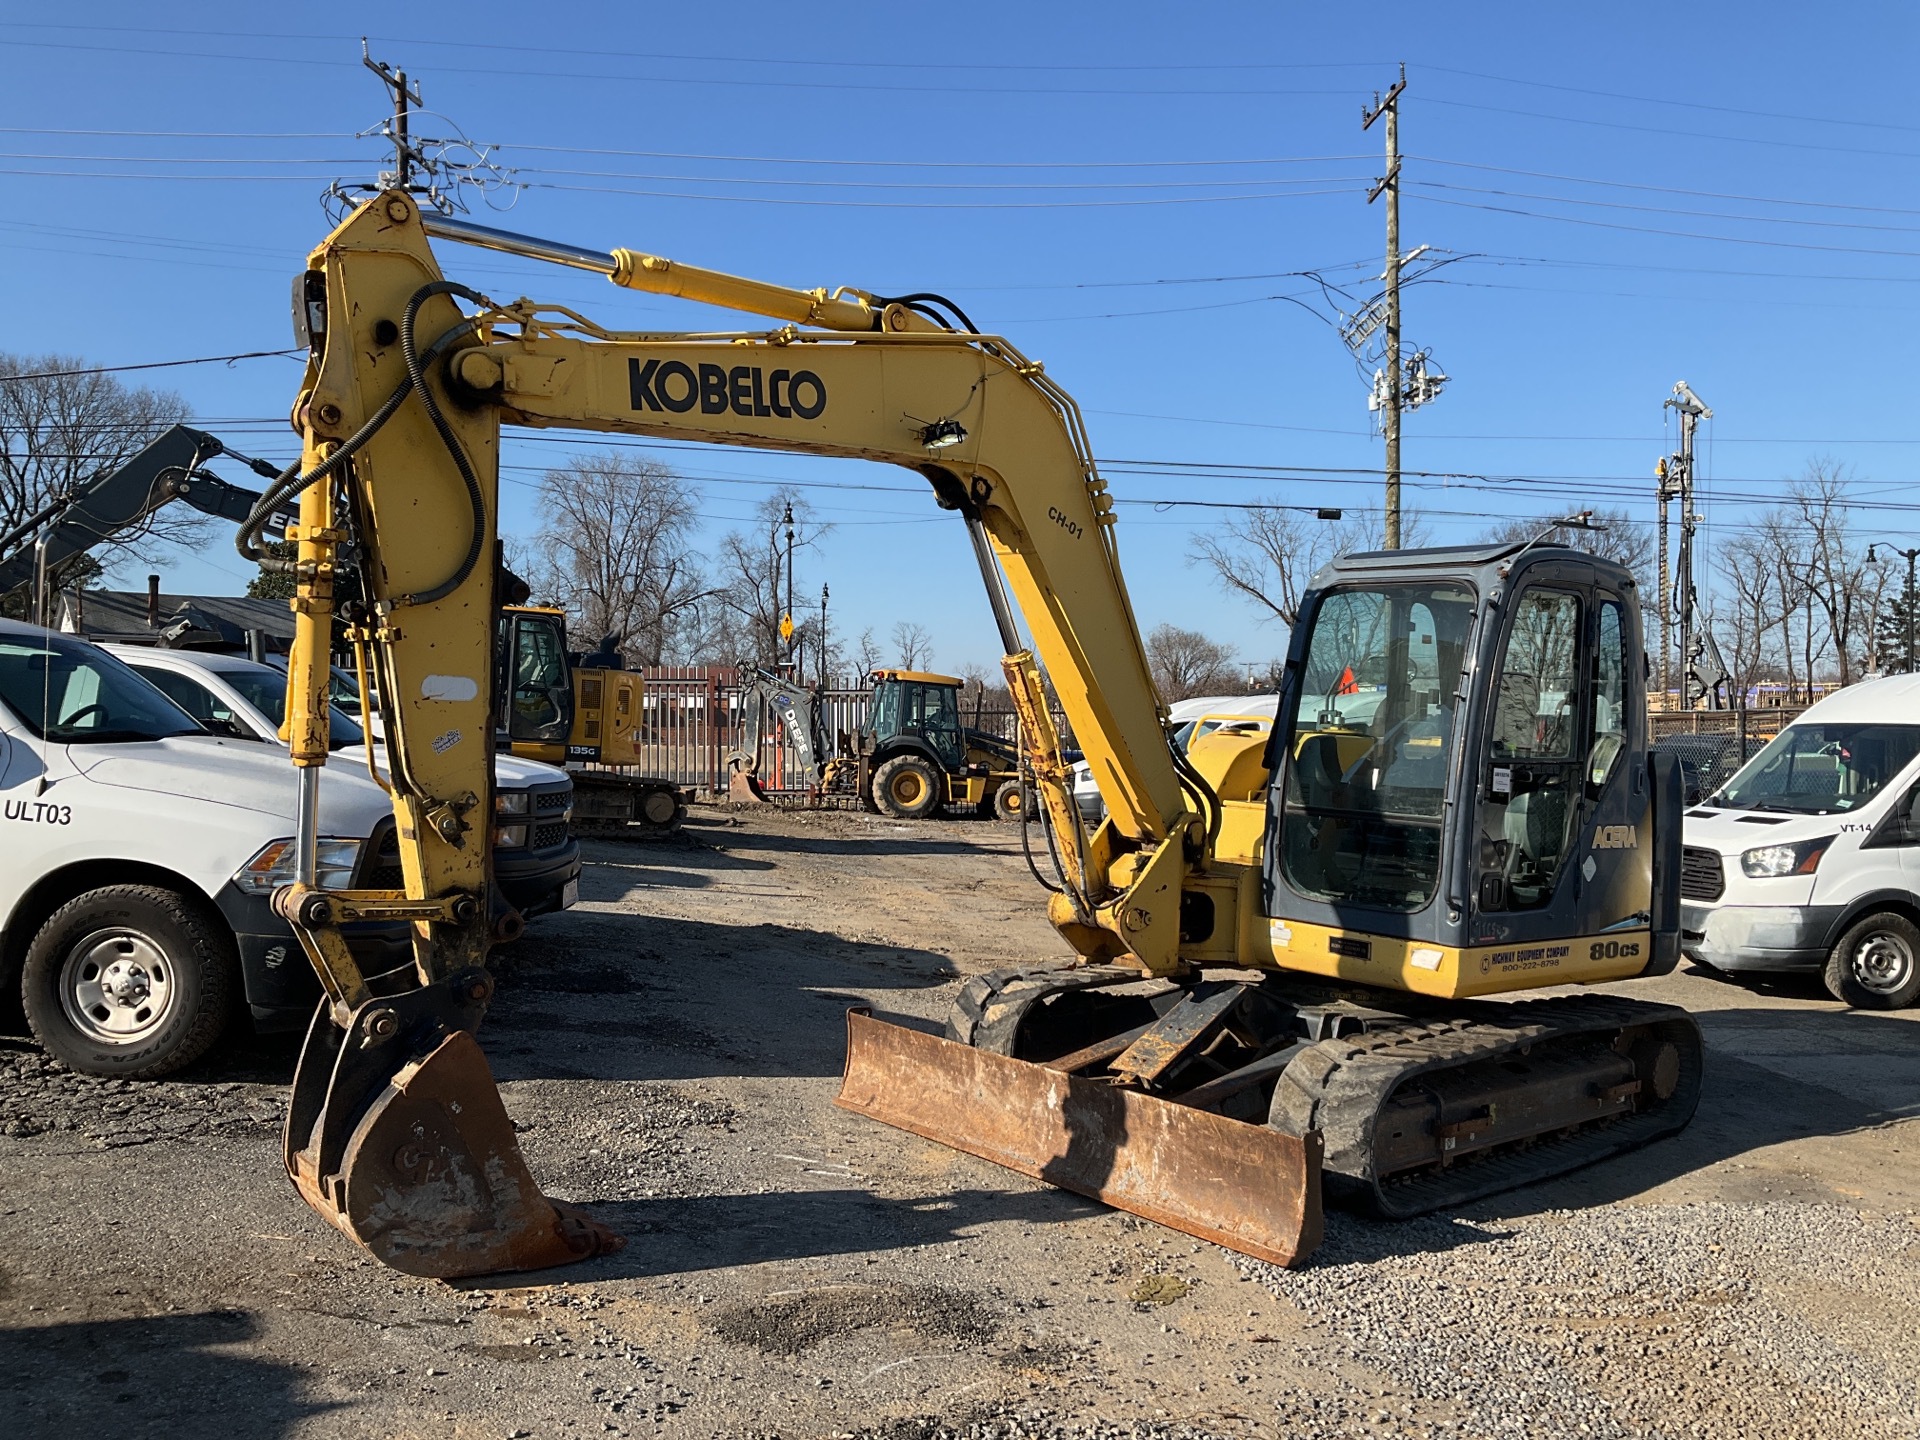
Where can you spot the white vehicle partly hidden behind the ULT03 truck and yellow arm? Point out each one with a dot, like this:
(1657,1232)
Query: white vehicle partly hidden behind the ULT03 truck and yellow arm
(537,859)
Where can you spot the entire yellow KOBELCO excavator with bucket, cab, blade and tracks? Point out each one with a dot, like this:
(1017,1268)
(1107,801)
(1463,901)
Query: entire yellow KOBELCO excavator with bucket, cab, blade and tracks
(1278,944)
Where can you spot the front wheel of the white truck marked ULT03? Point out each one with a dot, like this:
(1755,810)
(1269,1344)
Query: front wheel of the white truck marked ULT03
(130,982)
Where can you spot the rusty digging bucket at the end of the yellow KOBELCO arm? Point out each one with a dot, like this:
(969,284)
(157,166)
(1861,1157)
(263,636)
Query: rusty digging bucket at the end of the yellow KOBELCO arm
(398,1138)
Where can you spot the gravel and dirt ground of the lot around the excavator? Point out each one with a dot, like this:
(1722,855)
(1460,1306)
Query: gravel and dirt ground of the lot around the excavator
(671,1051)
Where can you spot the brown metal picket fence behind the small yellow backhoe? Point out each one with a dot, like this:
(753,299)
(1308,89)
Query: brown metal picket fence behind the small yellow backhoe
(694,721)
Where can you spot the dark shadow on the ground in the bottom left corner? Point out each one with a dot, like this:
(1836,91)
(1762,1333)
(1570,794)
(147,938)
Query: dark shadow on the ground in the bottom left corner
(149,1376)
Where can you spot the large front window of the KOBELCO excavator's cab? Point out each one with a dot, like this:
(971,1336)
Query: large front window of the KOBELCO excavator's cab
(1370,744)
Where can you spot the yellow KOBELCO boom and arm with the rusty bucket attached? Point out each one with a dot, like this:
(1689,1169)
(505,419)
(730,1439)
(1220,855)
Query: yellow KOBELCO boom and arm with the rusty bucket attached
(396,1132)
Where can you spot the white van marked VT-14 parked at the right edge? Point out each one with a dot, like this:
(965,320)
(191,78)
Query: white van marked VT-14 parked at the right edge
(1810,857)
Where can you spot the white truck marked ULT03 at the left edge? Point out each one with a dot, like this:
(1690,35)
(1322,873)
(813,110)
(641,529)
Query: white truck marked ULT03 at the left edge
(137,861)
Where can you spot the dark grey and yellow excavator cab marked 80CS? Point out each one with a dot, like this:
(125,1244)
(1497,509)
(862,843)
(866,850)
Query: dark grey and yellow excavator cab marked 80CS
(1451,809)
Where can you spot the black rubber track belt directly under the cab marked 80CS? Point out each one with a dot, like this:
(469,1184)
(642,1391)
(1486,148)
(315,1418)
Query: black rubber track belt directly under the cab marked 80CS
(1341,1088)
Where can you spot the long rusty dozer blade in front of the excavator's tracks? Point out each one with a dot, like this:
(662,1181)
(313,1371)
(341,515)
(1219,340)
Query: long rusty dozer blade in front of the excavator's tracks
(1245,1188)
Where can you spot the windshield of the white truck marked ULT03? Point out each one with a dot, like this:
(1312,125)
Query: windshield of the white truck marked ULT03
(74,694)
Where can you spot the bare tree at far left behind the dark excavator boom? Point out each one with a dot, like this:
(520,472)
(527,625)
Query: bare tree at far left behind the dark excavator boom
(62,425)
